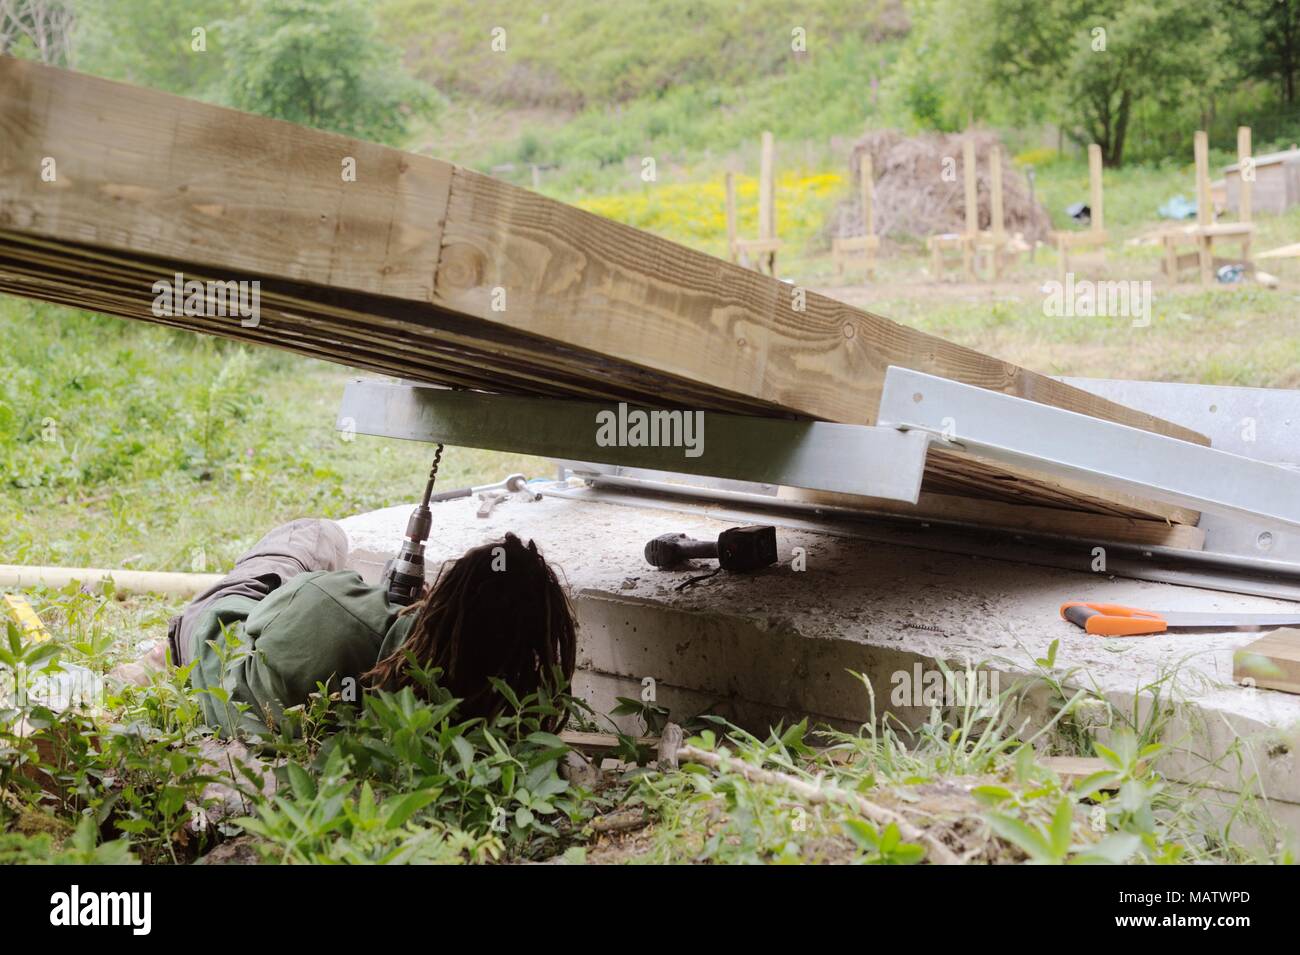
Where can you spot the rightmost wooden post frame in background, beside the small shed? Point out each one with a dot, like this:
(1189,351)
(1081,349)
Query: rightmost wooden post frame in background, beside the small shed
(1207,232)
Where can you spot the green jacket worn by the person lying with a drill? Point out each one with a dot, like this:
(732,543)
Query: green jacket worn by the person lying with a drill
(318,628)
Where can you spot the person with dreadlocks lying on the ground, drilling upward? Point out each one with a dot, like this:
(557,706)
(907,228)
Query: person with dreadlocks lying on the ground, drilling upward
(288,618)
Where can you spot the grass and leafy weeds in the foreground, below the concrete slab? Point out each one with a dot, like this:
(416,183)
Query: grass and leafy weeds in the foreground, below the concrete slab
(402,780)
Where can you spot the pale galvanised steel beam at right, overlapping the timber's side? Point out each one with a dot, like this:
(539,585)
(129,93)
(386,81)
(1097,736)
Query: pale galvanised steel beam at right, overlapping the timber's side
(1065,444)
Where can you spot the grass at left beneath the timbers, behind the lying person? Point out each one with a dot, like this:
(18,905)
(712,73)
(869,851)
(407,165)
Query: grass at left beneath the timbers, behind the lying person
(132,446)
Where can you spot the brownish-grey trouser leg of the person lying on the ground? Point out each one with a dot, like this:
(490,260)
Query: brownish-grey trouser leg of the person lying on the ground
(292,549)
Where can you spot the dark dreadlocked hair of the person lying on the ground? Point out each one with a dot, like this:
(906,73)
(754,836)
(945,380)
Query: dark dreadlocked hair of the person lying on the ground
(497,611)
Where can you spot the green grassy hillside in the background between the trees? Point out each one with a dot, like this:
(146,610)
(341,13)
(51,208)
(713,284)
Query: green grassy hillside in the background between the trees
(571,95)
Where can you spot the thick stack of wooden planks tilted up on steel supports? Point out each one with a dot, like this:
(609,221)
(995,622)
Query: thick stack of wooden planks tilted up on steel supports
(423,270)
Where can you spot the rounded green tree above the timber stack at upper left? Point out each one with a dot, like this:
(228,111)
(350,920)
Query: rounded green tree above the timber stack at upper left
(320,63)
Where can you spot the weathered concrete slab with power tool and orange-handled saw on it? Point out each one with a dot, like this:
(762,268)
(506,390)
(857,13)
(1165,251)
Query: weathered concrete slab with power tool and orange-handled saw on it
(787,643)
